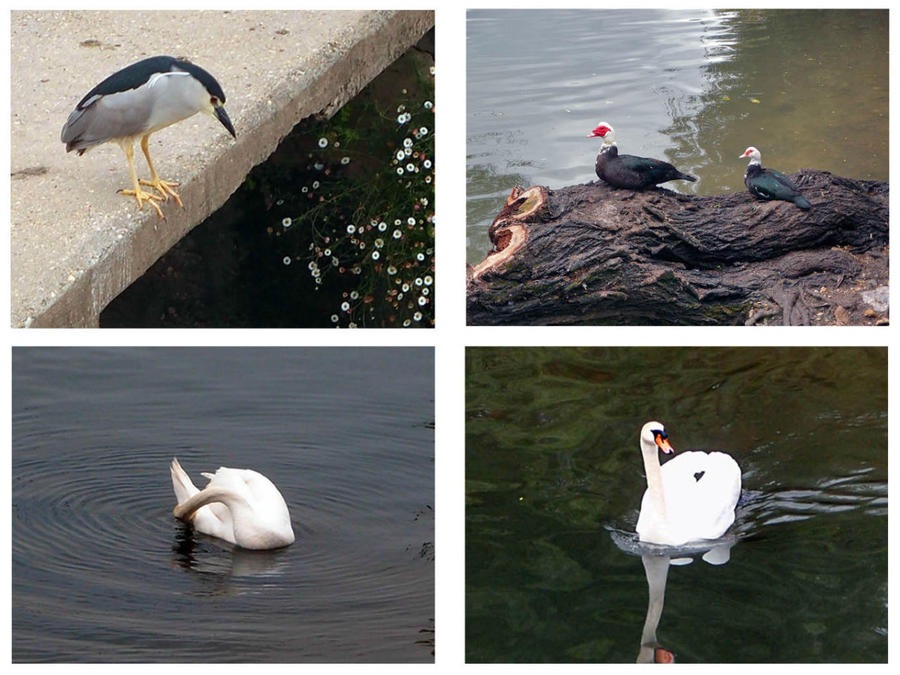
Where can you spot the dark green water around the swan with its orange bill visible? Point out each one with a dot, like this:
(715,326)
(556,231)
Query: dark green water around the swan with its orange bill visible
(554,479)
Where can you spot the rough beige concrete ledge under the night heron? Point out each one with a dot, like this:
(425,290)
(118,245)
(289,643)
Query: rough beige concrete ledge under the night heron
(75,243)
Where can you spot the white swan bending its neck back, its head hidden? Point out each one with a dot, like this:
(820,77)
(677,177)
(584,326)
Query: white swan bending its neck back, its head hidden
(238,505)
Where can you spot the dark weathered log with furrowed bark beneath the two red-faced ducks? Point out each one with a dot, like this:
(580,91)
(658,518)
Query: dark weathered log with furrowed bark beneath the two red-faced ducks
(592,254)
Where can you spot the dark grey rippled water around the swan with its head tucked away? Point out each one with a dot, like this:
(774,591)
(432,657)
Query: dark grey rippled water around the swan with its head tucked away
(101,571)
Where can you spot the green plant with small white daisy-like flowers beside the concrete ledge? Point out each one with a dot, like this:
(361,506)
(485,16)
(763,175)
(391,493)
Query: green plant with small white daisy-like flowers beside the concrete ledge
(368,203)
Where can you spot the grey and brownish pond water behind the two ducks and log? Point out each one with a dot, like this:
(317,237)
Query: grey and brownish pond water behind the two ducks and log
(693,87)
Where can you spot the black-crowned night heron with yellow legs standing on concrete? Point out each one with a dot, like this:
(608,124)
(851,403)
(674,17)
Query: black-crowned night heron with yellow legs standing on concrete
(138,100)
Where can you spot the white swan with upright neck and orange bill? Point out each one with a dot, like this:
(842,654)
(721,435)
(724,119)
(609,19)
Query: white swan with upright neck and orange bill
(691,497)
